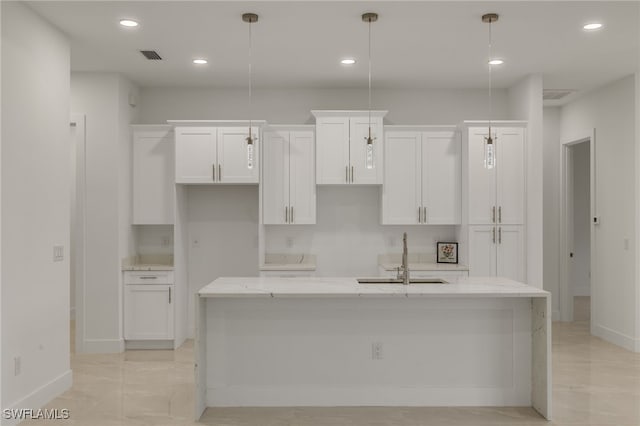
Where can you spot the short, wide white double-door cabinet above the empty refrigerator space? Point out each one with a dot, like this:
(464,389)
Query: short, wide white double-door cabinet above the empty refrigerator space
(216,155)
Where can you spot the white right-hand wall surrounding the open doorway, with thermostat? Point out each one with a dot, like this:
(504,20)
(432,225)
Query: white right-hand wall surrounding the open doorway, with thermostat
(611,111)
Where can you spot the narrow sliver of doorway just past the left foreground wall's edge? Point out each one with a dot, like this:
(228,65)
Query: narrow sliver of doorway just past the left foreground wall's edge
(77,231)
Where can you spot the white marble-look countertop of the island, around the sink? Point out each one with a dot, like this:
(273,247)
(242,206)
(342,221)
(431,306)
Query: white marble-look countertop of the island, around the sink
(348,287)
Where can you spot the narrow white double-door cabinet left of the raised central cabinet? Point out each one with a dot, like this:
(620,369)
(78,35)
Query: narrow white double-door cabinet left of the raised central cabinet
(289,189)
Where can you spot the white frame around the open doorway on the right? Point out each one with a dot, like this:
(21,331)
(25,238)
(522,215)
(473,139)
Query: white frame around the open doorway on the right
(566,214)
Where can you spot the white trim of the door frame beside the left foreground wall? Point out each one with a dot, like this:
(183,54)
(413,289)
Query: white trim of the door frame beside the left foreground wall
(78,122)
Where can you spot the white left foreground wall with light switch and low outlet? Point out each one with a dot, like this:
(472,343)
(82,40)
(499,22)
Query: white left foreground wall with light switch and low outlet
(35,208)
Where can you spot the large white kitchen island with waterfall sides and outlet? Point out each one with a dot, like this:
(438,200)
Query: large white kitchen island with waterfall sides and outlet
(334,342)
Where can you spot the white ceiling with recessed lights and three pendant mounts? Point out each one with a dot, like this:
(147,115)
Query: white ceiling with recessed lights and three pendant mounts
(423,44)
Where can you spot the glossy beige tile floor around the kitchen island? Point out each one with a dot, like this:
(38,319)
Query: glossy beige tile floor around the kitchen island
(595,383)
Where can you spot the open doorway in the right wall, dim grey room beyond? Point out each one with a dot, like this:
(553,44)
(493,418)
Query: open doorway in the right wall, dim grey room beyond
(577,248)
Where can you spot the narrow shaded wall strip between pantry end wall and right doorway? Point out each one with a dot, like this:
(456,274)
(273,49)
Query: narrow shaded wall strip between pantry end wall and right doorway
(551,204)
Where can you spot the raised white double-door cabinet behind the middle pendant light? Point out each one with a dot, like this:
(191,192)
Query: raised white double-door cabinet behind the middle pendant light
(341,147)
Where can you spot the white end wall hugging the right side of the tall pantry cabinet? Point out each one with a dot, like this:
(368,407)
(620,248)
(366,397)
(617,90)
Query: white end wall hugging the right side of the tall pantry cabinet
(525,103)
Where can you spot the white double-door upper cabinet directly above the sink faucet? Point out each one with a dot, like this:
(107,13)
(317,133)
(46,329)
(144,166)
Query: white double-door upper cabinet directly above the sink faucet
(422,177)
